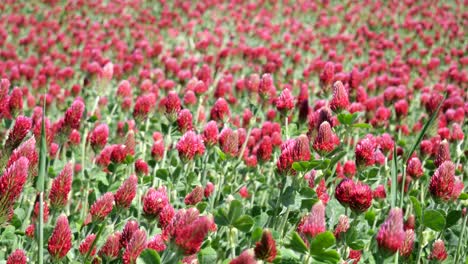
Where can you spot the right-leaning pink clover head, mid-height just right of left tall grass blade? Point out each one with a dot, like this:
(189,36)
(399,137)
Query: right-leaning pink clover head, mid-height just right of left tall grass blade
(61,187)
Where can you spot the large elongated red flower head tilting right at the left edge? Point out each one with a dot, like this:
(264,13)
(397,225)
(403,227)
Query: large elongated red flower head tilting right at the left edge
(11,186)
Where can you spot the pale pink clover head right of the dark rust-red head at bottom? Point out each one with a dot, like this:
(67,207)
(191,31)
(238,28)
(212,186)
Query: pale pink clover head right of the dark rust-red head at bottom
(313,223)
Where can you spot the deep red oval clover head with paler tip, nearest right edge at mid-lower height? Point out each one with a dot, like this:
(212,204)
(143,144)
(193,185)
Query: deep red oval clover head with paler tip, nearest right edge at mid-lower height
(442,182)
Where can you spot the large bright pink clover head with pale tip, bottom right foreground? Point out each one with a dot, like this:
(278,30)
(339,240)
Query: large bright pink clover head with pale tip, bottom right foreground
(391,234)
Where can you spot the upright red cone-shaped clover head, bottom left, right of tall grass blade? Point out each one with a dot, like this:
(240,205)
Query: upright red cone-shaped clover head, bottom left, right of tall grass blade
(60,241)
